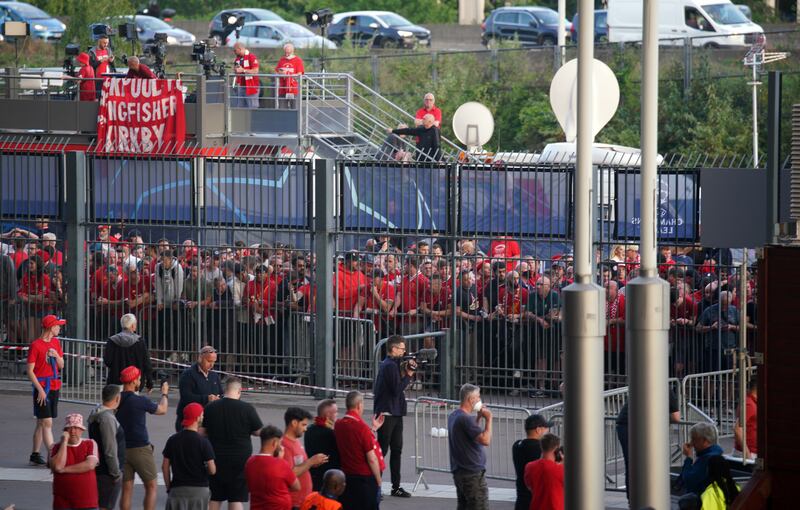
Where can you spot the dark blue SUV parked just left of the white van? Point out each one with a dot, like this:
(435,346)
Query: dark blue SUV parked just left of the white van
(529,25)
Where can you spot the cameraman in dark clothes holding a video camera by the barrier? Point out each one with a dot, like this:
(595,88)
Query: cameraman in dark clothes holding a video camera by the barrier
(394,375)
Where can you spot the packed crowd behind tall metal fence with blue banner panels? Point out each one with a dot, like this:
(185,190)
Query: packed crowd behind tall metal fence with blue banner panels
(469,259)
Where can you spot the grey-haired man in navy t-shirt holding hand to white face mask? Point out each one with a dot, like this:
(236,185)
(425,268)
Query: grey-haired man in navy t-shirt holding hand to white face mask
(467,442)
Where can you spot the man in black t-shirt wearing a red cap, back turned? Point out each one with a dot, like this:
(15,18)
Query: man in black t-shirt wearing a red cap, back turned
(188,461)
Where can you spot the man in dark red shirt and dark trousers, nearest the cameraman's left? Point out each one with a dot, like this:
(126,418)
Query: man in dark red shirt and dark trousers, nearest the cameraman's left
(360,455)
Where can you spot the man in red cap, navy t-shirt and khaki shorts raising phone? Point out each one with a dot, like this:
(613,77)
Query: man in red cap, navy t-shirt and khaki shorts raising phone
(132,415)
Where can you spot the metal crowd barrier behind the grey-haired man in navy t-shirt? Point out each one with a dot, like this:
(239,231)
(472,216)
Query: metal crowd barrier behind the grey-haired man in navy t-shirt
(431,444)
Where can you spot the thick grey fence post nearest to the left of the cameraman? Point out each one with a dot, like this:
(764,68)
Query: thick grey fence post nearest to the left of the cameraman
(323,196)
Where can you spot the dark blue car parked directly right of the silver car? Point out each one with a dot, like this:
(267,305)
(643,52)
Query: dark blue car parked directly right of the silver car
(380,29)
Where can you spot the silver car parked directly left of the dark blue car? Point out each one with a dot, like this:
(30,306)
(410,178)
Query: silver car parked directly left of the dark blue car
(274,34)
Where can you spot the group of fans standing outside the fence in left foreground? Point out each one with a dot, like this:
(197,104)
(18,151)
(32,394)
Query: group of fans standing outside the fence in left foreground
(209,460)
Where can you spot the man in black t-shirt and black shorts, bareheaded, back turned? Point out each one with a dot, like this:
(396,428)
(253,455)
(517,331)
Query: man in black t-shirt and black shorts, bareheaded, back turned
(229,423)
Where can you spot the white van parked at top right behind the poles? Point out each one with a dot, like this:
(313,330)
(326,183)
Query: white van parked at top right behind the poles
(710,23)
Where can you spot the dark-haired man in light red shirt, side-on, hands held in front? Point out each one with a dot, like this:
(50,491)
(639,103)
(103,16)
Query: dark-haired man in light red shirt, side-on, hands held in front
(296,420)
